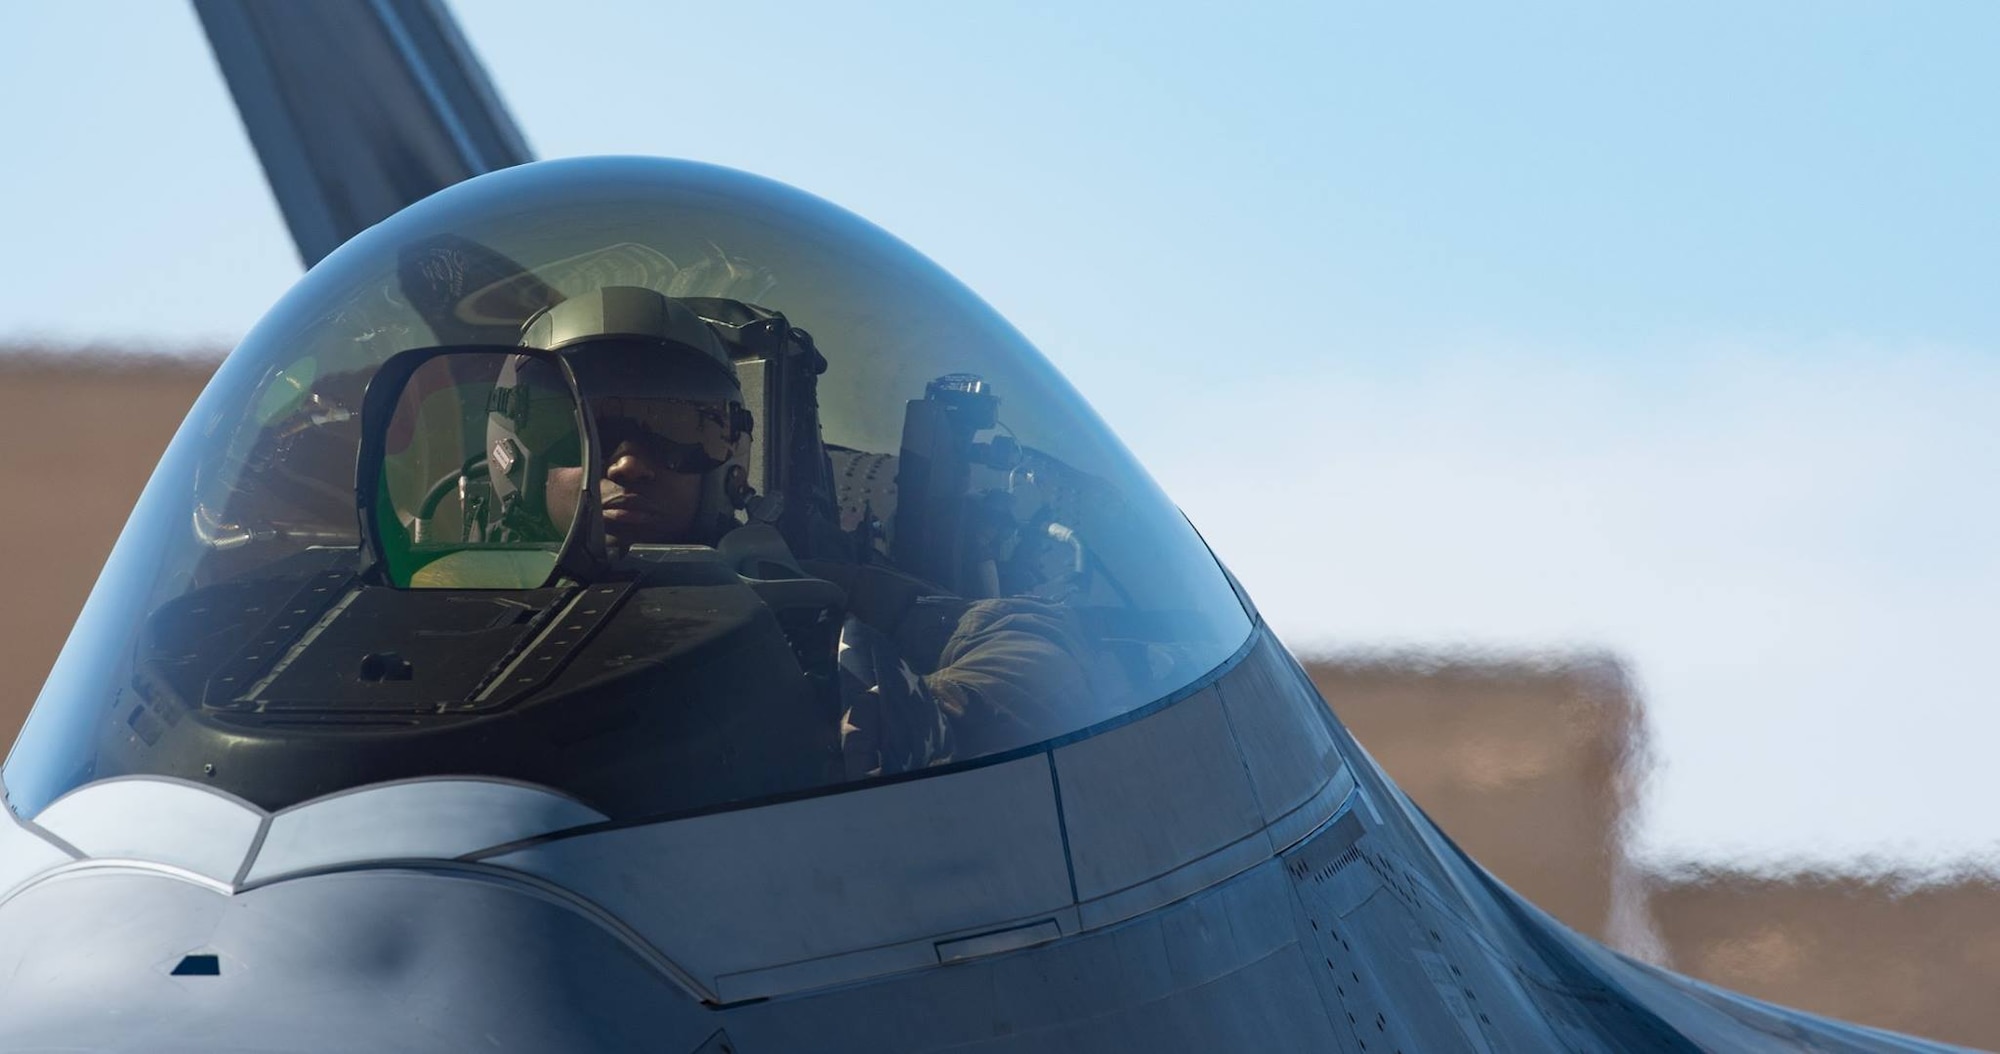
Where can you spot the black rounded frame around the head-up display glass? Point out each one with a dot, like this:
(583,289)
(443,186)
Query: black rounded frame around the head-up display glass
(583,551)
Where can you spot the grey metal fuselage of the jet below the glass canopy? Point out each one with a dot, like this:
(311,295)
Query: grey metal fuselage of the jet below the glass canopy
(1367,935)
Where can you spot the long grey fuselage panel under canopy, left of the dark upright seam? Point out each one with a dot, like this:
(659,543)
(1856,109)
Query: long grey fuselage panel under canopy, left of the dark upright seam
(879,875)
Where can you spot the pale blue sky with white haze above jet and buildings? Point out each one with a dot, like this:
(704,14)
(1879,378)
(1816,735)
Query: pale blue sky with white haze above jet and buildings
(1655,329)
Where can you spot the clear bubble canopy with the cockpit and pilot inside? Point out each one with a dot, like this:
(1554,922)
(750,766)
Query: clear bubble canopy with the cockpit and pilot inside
(649,483)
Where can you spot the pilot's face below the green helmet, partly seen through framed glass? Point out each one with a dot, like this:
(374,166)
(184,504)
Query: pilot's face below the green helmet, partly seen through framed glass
(645,495)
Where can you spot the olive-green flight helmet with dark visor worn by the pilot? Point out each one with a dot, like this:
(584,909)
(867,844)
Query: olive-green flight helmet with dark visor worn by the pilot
(657,377)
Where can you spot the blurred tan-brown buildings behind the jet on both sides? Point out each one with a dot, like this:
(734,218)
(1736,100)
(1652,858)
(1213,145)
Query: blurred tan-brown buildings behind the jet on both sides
(1531,763)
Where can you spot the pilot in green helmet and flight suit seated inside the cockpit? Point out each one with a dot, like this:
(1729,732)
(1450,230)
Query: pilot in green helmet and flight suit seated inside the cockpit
(675,433)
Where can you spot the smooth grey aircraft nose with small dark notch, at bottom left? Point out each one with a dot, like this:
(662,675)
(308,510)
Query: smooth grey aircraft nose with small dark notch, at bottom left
(129,959)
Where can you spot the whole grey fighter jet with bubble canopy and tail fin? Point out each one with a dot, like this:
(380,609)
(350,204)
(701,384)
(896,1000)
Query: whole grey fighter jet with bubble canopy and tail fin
(631,605)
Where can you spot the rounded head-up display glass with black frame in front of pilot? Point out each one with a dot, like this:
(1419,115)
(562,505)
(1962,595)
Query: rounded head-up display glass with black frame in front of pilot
(473,471)
